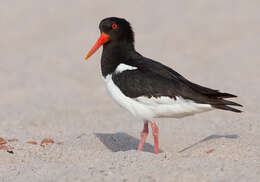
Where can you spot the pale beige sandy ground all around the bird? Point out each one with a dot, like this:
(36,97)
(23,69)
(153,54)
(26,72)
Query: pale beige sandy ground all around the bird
(48,91)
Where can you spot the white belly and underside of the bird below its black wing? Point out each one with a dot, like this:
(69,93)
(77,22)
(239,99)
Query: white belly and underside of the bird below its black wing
(148,108)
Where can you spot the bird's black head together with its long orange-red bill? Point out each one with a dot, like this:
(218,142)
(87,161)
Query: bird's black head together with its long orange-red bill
(113,30)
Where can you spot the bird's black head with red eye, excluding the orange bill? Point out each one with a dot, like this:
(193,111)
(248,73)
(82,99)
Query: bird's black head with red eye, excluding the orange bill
(118,29)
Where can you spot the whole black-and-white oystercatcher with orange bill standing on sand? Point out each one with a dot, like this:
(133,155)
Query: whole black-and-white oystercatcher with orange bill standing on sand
(147,88)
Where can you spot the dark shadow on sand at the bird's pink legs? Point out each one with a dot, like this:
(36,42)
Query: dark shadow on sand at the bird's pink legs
(122,142)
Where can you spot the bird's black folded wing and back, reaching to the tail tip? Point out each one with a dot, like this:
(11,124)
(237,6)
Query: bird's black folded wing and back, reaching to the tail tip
(153,79)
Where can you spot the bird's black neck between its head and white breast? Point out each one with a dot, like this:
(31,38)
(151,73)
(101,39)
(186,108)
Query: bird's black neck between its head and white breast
(115,53)
